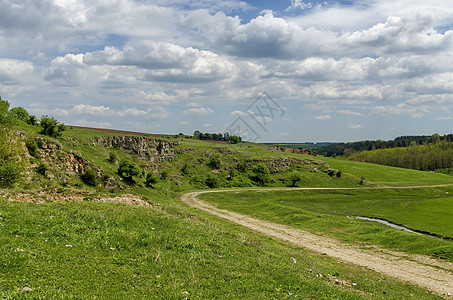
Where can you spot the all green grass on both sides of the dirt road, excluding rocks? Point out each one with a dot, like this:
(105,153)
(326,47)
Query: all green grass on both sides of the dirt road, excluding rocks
(92,250)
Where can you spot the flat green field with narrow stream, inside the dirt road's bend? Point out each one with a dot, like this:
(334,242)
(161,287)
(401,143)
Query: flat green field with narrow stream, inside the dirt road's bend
(325,211)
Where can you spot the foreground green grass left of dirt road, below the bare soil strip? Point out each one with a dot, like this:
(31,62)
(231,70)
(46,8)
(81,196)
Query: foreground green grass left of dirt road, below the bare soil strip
(88,250)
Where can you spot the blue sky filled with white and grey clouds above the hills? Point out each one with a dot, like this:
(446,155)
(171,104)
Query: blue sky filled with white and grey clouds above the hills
(271,71)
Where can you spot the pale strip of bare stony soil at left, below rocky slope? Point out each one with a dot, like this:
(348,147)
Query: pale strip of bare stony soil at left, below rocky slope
(70,196)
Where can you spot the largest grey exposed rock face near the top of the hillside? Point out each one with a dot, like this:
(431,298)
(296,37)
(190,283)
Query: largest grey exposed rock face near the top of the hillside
(144,147)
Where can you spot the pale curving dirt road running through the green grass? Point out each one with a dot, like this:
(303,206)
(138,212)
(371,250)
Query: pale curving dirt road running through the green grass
(436,276)
